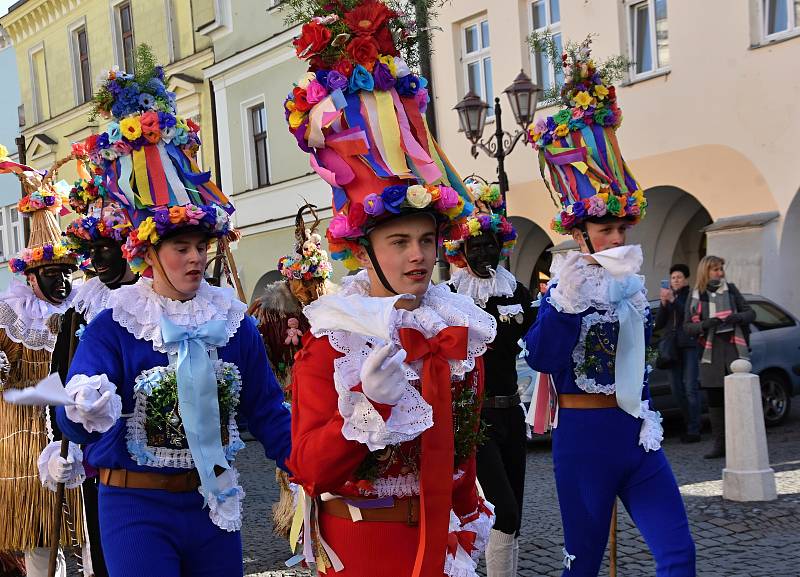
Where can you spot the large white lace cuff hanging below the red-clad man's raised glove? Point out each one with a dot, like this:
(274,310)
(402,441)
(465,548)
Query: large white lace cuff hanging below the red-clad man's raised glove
(362,421)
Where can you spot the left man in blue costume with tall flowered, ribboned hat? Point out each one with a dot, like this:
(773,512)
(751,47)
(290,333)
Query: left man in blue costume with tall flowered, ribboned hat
(159,376)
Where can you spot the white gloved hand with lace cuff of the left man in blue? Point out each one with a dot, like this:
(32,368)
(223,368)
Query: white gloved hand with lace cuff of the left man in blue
(94,416)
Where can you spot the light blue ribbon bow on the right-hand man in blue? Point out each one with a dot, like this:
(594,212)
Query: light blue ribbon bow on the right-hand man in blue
(629,362)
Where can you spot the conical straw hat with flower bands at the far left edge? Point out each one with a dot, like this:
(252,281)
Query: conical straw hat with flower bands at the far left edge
(42,201)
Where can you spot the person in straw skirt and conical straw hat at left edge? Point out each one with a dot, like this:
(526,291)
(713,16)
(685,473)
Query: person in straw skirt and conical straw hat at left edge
(29,326)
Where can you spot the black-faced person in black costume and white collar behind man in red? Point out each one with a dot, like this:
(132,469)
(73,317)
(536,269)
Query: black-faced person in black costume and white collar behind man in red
(475,247)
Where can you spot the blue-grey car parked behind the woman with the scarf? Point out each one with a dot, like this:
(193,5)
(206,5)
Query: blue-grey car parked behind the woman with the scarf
(775,344)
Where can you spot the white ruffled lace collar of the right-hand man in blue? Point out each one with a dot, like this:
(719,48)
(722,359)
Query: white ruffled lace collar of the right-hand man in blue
(587,286)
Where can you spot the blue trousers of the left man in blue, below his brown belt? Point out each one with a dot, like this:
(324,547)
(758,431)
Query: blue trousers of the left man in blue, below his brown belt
(154,533)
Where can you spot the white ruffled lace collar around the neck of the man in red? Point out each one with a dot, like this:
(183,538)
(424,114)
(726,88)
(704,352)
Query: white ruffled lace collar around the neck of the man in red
(440,308)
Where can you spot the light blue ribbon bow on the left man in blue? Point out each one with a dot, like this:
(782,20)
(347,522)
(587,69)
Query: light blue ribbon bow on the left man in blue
(197,396)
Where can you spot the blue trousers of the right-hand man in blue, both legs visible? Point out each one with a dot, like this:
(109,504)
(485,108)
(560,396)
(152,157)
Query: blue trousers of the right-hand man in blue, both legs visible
(597,458)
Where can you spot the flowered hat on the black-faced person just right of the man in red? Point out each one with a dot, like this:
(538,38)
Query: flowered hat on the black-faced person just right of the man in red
(486,199)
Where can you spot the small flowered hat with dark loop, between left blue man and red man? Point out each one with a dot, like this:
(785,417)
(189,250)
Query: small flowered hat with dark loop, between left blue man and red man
(309,262)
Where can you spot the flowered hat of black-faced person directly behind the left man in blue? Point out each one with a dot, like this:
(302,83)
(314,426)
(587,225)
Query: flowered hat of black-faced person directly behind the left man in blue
(99,216)
